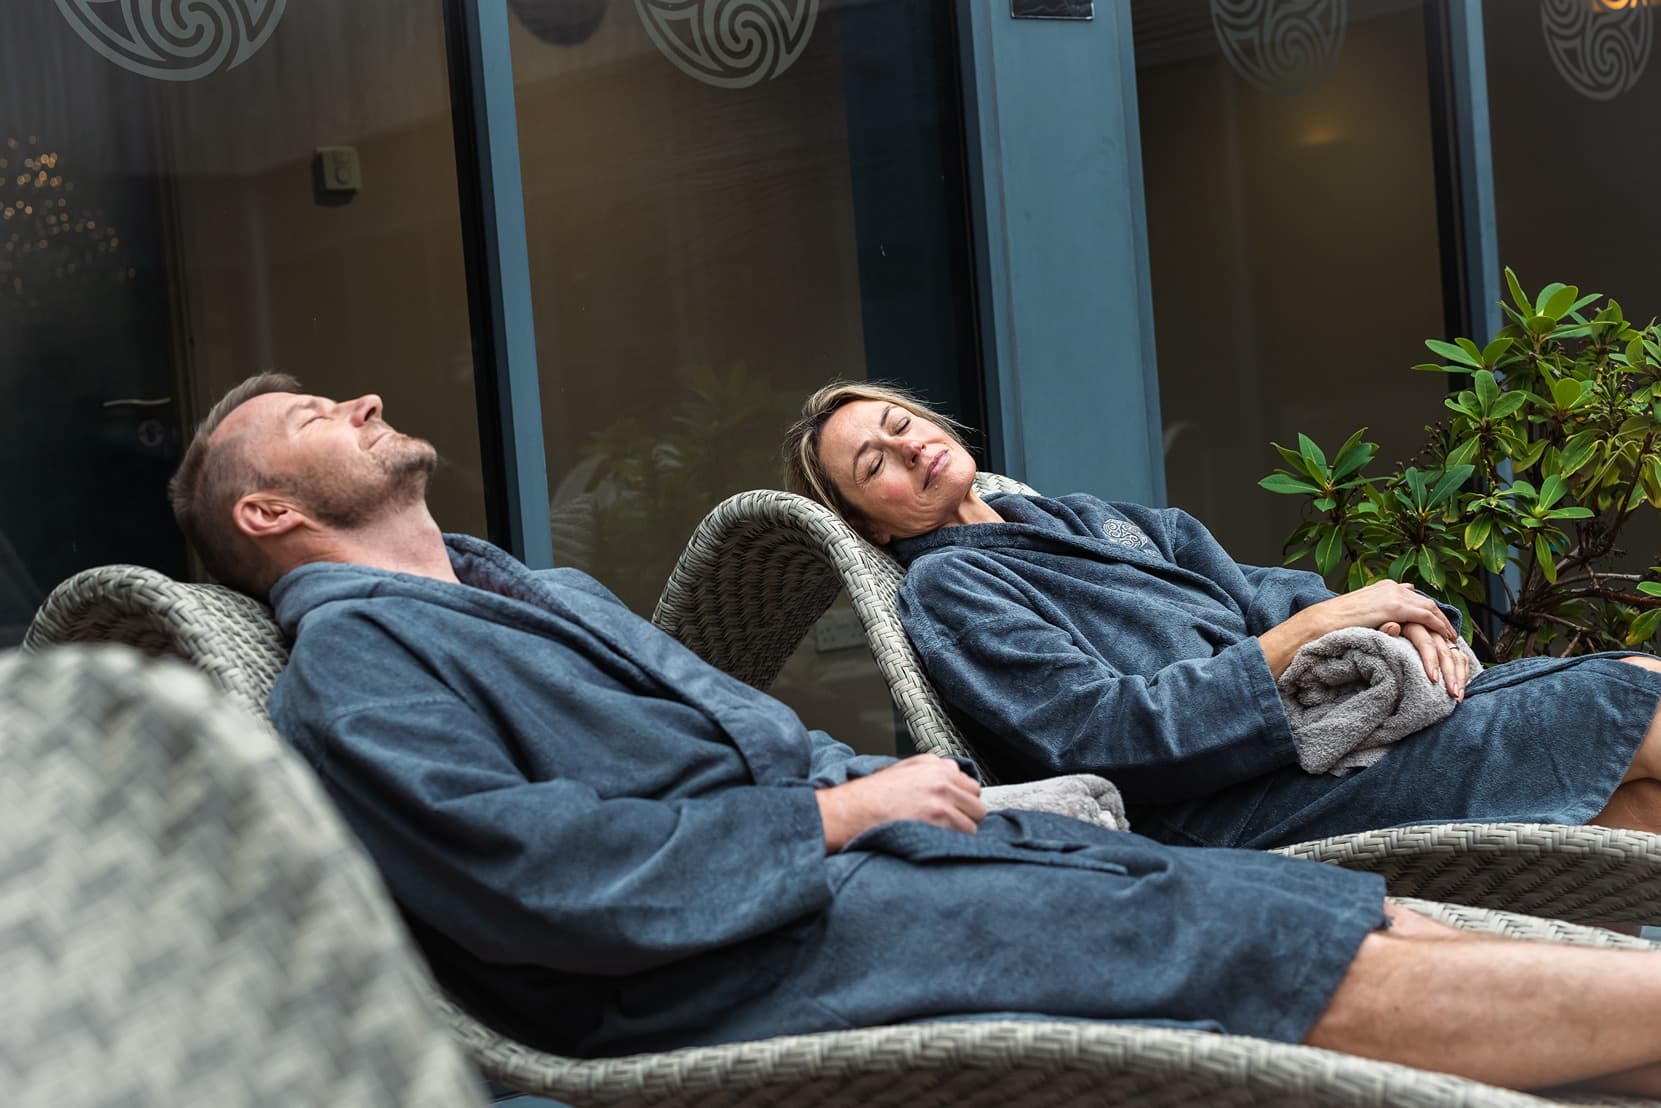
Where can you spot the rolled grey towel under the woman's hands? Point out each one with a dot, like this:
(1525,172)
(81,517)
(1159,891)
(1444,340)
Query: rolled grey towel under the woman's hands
(1355,692)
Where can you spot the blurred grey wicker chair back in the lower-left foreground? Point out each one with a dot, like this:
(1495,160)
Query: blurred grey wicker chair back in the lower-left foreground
(184,919)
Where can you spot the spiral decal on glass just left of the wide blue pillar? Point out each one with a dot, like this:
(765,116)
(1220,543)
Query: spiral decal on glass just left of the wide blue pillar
(730,44)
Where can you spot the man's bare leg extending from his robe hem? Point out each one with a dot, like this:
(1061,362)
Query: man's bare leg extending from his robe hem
(1461,1004)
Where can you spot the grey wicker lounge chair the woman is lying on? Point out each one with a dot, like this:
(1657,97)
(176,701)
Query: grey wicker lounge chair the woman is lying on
(765,566)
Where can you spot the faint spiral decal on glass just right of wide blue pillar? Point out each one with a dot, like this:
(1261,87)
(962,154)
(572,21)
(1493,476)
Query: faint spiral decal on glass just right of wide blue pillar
(1280,46)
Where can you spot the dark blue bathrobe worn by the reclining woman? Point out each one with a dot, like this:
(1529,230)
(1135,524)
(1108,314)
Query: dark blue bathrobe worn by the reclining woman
(1090,637)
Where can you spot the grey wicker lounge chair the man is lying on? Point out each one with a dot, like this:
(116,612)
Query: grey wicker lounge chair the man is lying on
(976,1062)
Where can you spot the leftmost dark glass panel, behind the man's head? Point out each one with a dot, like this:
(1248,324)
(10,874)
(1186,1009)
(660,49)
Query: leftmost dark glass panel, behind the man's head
(165,232)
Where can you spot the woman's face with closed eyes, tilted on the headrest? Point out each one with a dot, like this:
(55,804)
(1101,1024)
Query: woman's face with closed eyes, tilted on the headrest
(901,471)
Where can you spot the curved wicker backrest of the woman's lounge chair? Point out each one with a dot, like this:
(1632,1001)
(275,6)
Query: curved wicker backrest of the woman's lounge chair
(765,566)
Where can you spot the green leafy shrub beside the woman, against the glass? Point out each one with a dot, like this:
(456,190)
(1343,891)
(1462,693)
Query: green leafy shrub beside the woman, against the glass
(1552,446)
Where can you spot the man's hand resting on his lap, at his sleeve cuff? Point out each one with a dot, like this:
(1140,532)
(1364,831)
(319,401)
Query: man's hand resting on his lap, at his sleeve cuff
(926,788)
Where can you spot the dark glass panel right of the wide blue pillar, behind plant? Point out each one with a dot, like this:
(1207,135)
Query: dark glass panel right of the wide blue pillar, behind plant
(1293,238)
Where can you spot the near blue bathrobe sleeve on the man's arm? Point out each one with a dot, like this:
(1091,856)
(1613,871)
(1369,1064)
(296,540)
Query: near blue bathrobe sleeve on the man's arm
(547,873)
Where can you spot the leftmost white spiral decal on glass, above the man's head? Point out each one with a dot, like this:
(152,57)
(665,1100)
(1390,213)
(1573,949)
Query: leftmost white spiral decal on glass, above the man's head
(175,41)
